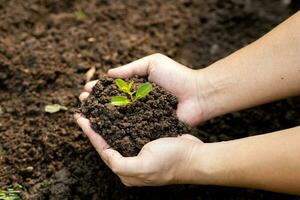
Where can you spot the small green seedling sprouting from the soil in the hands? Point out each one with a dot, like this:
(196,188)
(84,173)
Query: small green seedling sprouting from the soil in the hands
(134,96)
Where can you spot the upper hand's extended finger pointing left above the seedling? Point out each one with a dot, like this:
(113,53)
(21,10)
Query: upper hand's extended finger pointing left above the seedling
(139,67)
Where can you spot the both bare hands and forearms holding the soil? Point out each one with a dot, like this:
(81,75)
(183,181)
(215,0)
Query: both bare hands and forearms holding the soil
(264,71)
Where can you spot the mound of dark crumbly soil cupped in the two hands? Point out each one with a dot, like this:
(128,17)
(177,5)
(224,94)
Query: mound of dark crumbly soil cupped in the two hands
(128,128)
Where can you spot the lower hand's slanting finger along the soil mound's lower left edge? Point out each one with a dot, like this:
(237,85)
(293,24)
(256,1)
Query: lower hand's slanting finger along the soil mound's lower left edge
(97,141)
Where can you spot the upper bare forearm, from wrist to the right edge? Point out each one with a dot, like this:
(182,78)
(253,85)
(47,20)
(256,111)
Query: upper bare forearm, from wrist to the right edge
(263,71)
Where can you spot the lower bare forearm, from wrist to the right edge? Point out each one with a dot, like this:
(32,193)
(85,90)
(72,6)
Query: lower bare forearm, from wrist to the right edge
(268,162)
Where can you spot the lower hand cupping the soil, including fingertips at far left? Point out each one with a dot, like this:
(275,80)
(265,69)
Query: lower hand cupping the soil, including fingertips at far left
(160,162)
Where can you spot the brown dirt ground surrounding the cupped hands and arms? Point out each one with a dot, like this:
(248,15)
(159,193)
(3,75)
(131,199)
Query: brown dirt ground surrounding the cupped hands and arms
(46,47)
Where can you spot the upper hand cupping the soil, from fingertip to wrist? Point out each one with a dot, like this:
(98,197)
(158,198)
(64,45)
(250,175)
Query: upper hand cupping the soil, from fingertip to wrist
(183,82)
